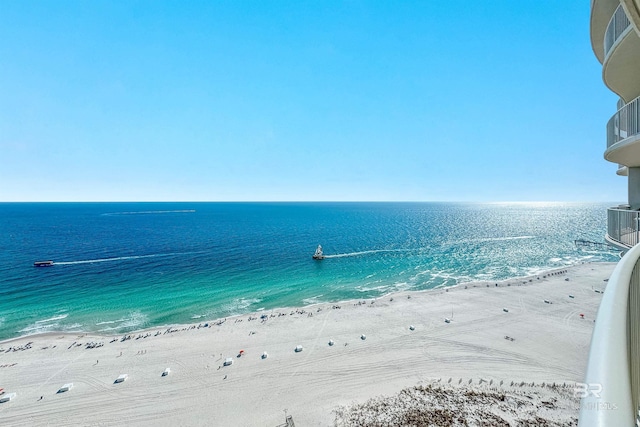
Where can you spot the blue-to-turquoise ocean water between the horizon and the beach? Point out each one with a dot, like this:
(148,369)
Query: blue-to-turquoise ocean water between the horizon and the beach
(125,266)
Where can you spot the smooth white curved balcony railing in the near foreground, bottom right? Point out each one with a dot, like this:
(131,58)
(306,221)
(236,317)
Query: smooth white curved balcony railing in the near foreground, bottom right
(611,391)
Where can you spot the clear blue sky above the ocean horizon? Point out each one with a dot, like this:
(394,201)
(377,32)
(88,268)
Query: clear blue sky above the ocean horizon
(302,100)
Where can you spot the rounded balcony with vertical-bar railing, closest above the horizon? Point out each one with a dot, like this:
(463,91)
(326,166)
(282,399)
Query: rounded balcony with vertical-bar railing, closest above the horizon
(623,135)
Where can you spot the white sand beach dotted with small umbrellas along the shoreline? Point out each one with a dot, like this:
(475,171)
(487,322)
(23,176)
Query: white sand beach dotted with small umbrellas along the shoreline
(550,344)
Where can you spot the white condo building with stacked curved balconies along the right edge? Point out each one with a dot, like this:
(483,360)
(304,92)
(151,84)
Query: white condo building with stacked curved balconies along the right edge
(611,390)
